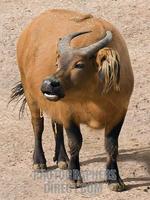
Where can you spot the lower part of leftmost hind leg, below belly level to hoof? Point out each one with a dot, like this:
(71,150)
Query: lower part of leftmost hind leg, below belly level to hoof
(38,156)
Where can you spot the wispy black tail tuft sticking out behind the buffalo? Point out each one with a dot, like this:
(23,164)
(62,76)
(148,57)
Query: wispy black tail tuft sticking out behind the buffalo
(17,95)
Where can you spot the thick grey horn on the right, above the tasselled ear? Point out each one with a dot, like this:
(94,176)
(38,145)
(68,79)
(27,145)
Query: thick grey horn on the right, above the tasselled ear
(93,48)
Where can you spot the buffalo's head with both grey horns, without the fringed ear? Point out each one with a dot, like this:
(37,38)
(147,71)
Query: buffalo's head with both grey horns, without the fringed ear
(76,68)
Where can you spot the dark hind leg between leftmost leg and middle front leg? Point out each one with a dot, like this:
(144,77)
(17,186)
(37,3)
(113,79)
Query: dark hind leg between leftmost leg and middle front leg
(60,152)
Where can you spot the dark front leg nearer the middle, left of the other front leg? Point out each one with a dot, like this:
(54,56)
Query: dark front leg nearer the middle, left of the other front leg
(75,143)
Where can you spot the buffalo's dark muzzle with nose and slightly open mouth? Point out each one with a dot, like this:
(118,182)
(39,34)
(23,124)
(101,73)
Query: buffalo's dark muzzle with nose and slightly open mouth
(53,91)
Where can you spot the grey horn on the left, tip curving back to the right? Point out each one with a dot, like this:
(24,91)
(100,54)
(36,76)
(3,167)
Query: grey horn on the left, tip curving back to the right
(64,43)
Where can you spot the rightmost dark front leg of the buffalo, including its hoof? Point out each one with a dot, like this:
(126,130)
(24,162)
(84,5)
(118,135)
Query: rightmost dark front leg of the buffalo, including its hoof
(111,144)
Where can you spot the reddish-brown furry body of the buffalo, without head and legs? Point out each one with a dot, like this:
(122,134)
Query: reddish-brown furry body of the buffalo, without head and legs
(37,53)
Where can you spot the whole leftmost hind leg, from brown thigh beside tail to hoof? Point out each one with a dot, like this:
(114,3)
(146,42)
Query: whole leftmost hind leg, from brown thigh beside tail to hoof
(39,161)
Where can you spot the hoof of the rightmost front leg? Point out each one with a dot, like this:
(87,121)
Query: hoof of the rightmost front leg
(117,187)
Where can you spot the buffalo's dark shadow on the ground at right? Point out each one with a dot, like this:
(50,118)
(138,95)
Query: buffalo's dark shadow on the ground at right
(141,155)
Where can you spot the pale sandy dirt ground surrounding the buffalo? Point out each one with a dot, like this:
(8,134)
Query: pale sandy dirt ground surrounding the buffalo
(17,181)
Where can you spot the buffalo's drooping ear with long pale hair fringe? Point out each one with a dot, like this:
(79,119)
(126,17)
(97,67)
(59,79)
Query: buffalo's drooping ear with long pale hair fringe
(108,62)
